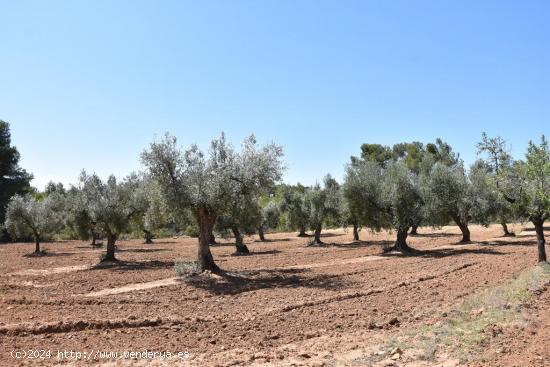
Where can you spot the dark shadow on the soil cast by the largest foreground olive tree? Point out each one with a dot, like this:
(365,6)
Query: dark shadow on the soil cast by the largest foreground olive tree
(231,283)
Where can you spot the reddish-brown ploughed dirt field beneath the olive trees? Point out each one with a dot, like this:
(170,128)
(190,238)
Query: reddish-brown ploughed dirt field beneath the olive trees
(286,304)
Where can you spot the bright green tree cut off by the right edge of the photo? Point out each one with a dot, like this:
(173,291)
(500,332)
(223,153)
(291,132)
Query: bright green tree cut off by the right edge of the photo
(527,187)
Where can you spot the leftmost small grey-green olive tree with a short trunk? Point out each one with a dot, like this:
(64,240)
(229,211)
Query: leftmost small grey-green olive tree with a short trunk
(40,217)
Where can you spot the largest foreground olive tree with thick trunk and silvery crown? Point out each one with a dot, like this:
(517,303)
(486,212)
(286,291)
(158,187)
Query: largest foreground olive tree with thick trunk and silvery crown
(209,183)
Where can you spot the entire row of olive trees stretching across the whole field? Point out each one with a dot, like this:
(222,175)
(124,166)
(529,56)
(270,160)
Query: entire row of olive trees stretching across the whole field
(398,188)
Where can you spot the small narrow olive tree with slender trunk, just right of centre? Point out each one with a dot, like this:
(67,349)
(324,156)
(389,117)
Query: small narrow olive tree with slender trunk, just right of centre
(324,202)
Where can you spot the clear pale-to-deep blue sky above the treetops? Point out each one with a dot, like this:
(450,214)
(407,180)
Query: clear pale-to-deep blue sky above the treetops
(88,84)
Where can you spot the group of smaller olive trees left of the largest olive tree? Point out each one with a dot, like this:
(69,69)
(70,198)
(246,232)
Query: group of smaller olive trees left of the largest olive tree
(93,206)
